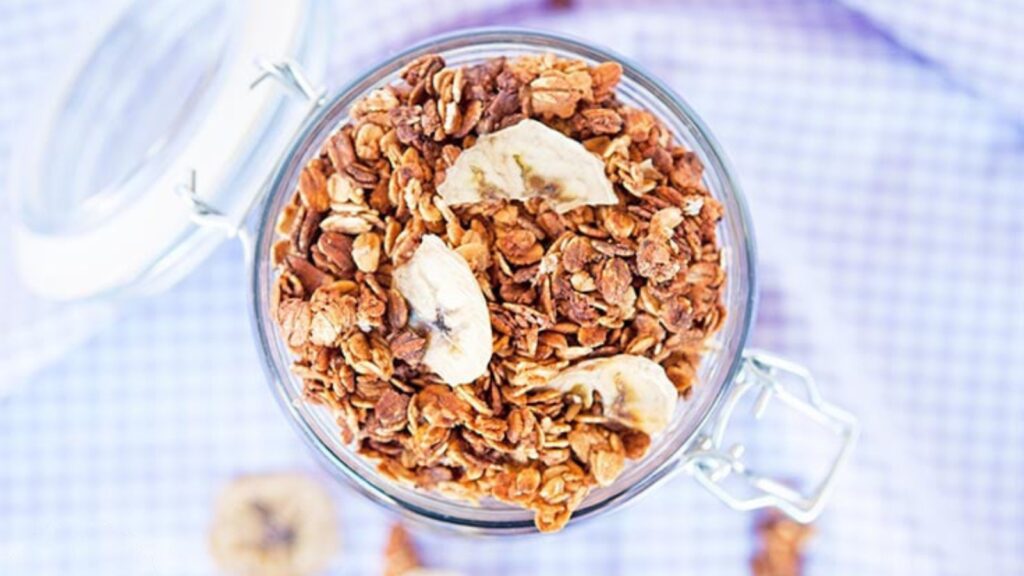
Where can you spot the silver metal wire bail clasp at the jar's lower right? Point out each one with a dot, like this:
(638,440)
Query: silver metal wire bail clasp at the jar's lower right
(770,378)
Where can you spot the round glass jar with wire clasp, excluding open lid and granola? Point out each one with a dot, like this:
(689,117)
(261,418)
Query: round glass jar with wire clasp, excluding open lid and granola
(693,443)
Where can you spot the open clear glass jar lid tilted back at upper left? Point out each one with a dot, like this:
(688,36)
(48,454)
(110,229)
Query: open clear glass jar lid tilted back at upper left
(161,102)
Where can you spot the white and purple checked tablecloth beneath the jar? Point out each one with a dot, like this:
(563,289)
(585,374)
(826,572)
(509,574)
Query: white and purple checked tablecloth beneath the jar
(882,149)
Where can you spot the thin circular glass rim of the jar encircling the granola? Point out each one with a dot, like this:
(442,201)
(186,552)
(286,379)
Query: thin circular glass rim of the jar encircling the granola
(715,161)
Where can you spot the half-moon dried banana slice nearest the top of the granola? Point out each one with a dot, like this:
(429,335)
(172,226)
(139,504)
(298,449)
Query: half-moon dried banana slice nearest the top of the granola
(526,161)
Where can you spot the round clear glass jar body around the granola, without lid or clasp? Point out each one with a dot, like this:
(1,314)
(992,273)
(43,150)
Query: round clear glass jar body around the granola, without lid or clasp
(719,367)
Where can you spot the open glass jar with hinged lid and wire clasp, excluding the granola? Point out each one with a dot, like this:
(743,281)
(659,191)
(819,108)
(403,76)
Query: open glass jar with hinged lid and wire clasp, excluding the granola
(156,194)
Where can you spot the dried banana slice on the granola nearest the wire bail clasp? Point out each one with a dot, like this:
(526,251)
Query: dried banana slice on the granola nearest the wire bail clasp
(635,392)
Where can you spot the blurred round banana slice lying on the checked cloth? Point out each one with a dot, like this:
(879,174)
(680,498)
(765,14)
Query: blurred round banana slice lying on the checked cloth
(274,525)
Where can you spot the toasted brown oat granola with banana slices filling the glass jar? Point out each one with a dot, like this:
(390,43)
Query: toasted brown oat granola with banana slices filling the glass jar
(500,279)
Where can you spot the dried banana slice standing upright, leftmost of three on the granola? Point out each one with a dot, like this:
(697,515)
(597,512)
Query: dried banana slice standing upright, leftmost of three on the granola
(447,301)
